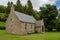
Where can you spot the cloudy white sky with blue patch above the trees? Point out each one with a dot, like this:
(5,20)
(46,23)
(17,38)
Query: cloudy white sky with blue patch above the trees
(36,3)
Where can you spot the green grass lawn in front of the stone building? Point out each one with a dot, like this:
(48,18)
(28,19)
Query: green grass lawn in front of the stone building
(47,36)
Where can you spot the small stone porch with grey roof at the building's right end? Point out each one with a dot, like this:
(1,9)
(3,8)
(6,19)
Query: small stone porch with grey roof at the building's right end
(40,28)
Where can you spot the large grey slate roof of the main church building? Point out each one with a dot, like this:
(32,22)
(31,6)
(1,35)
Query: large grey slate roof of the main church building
(25,18)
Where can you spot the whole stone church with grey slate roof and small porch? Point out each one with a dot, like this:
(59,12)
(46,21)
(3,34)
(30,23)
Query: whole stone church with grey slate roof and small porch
(20,23)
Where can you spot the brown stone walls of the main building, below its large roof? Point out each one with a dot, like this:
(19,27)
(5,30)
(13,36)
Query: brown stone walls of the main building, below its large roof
(15,26)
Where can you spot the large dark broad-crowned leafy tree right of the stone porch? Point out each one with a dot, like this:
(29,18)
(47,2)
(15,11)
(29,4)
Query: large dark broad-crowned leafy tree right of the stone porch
(49,14)
